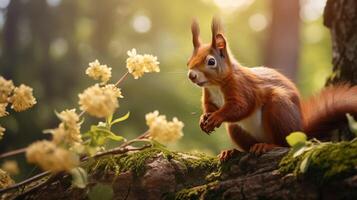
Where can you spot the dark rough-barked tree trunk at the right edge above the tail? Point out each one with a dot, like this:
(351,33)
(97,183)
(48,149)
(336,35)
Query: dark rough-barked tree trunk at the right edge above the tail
(341,18)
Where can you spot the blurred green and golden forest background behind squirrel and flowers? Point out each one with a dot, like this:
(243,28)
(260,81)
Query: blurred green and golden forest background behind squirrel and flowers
(47,44)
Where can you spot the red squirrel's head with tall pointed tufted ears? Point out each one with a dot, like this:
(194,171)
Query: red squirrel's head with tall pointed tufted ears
(210,63)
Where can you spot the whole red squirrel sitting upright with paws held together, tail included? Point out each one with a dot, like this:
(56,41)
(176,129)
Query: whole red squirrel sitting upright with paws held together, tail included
(259,105)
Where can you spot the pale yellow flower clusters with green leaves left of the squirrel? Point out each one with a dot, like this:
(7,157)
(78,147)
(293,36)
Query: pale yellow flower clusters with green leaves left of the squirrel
(68,145)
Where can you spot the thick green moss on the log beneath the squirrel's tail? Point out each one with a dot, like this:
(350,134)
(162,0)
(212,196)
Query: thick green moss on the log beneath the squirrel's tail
(327,162)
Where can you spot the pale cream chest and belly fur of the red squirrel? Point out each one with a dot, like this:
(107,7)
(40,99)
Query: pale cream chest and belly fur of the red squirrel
(252,124)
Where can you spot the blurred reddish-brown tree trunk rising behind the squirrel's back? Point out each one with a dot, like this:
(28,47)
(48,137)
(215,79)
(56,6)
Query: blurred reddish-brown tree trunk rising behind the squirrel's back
(282,48)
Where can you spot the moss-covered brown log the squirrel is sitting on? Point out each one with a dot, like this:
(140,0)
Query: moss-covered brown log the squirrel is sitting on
(158,173)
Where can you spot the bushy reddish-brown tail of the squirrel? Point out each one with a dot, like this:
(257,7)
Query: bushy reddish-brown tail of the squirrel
(325,111)
